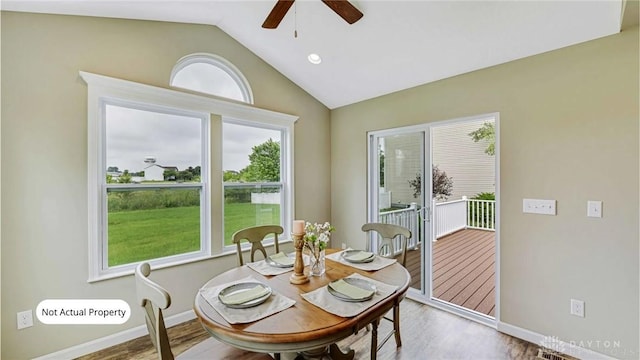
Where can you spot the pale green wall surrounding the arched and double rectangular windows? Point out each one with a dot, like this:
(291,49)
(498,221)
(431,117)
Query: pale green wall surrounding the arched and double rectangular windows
(44,159)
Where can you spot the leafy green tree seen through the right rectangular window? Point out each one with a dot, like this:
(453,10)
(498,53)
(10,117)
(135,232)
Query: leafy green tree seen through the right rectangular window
(264,163)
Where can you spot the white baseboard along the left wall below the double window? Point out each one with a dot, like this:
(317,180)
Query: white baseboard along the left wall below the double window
(114,339)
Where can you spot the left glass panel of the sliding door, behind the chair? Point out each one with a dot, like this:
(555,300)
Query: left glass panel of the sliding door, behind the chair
(398,187)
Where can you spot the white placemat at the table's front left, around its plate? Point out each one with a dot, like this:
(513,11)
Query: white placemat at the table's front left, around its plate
(274,304)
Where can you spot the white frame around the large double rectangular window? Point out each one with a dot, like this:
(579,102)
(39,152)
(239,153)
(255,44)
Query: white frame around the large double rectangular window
(102,87)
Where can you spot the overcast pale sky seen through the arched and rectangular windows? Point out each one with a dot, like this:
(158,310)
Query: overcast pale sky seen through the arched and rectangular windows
(176,140)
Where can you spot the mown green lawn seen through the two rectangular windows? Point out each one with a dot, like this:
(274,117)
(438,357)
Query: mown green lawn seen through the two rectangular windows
(147,234)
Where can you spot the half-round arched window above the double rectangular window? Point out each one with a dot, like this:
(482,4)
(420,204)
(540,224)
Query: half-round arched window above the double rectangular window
(211,74)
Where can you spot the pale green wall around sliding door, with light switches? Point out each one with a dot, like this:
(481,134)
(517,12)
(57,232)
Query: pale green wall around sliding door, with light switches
(568,131)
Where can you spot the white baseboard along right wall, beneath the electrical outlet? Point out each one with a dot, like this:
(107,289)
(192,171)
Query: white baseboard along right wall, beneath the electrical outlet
(554,343)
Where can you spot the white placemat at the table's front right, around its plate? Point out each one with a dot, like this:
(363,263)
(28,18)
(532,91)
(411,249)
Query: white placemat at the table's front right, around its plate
(327,302)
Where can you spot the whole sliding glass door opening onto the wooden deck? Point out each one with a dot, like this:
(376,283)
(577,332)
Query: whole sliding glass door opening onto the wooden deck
(440,180)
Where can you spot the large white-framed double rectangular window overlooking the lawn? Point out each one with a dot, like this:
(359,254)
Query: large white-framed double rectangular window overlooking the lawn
(155,179)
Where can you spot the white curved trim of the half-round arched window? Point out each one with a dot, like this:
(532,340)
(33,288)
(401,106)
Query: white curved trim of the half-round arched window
(219,62)
